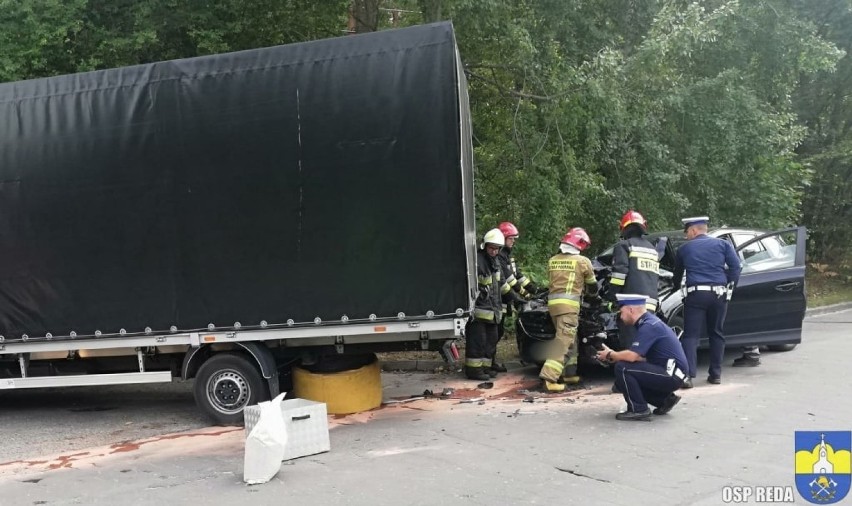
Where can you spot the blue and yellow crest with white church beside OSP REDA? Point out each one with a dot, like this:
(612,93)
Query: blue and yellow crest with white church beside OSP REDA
(823,465)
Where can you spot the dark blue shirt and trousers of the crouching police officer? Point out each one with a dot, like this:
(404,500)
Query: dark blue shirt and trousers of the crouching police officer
(662,372)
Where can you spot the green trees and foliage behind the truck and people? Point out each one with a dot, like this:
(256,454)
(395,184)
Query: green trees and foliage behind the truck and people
(581,109)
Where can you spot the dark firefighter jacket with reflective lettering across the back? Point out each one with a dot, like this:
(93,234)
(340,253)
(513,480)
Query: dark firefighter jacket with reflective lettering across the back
(635,269)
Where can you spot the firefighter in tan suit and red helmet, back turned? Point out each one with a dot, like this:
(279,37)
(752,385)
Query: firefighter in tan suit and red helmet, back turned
(571,274)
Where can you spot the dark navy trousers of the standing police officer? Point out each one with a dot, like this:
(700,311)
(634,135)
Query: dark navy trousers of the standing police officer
(704,309)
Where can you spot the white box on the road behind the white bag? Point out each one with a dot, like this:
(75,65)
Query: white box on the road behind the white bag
(306,424)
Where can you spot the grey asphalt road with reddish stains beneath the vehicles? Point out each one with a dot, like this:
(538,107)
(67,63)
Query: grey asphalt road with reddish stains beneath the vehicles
(107,446)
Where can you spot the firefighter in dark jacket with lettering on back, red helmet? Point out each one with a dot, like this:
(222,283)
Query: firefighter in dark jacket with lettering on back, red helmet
(635,269)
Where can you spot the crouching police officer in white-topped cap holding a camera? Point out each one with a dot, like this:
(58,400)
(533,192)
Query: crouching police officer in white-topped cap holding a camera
(653,368)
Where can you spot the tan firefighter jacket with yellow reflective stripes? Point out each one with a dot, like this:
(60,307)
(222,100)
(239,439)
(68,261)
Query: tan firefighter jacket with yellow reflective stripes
(570,277)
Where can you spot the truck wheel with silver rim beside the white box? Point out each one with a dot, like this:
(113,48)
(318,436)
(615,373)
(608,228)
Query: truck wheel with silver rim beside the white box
(225,384)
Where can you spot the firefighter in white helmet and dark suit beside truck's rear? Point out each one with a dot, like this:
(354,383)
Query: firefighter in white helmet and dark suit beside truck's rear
(481,333)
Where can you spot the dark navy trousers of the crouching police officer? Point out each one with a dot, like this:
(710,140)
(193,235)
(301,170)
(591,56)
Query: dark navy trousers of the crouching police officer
(642,383)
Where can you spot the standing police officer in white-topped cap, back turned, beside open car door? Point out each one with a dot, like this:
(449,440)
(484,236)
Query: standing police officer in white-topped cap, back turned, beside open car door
(712,269)
